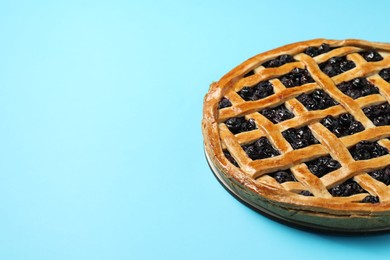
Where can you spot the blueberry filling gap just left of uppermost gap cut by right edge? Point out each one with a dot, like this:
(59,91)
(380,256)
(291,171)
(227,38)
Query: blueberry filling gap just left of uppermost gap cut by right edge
(358,87)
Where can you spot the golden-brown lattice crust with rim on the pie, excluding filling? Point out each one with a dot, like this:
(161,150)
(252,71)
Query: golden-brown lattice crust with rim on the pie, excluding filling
(254,173)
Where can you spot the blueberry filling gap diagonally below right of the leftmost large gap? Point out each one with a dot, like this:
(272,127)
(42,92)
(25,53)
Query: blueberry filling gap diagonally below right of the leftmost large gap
(260,149)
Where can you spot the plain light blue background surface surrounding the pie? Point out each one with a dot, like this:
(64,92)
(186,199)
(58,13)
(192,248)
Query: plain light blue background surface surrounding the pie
(100,140)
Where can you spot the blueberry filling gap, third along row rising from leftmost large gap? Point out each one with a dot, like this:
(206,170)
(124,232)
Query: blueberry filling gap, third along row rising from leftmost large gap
(318,99)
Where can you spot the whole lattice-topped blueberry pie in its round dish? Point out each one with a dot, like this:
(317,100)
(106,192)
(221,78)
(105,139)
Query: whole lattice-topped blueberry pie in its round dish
(302,132)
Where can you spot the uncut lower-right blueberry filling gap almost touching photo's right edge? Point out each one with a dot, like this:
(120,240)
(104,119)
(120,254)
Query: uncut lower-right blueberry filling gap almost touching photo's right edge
(365,150)
